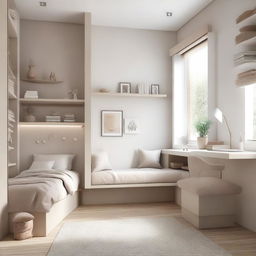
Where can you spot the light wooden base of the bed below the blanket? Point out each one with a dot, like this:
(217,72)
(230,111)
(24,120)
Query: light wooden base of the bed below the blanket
(45,222)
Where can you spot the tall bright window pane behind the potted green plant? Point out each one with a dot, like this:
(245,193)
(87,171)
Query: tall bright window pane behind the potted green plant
(196,80)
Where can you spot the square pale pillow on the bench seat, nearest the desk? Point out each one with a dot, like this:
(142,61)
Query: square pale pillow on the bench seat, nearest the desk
(149,158)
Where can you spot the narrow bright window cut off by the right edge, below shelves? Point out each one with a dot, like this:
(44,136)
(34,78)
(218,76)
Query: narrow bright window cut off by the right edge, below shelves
(250,112)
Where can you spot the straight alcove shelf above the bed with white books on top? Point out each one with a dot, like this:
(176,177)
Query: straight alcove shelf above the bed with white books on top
(51,101)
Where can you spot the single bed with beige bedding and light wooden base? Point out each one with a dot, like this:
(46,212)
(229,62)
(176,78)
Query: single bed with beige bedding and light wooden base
(49,193)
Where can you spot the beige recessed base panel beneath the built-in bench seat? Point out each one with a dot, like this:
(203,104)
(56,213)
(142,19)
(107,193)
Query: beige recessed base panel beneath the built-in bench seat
(127,195)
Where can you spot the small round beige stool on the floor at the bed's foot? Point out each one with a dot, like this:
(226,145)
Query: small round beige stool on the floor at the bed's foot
(23,225)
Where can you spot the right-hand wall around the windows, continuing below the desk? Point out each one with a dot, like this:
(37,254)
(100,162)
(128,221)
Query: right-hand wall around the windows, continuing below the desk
(221,15)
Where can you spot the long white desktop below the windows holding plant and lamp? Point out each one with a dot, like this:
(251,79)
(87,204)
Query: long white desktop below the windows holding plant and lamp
(212,153)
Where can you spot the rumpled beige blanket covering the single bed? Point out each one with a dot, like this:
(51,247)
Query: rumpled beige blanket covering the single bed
(38,190)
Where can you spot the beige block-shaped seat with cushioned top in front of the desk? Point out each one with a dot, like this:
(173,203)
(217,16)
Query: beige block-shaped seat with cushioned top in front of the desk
(208,202)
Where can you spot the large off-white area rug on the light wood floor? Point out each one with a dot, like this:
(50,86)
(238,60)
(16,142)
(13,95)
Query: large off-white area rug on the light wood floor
(164,236)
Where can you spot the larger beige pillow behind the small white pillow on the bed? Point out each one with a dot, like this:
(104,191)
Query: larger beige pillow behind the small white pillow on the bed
(62,161)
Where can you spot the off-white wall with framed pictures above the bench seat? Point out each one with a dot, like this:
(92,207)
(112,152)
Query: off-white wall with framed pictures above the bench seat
(136,56)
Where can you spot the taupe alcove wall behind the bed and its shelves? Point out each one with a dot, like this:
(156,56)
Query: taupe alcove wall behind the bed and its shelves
(56,47)
